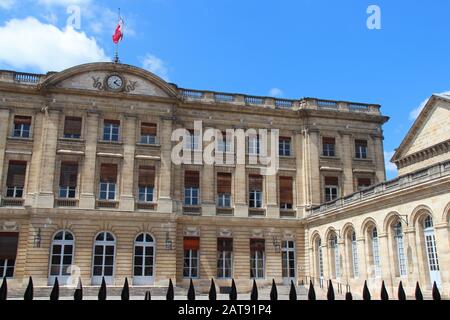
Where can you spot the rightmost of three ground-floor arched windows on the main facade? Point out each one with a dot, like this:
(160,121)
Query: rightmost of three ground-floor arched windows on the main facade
(144,259)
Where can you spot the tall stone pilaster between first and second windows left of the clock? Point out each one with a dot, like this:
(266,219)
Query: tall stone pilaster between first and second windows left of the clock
(87,196)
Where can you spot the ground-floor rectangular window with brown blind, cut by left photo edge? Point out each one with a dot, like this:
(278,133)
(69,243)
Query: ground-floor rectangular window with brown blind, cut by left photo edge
(8,245)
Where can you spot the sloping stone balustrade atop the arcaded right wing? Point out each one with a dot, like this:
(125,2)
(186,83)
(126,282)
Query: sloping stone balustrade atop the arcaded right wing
(433,172)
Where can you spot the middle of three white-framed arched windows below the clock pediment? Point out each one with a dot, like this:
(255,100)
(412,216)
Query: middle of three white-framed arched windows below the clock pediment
(104,256)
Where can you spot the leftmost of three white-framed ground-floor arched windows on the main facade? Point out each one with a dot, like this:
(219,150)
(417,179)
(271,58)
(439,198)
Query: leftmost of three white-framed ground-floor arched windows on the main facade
(61,257)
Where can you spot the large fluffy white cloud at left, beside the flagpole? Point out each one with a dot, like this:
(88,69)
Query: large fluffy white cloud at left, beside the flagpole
(44,47)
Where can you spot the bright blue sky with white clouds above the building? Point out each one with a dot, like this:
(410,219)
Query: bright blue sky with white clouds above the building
(292,48)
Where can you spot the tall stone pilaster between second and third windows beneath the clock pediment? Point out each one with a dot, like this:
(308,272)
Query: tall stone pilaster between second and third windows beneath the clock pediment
(129,146)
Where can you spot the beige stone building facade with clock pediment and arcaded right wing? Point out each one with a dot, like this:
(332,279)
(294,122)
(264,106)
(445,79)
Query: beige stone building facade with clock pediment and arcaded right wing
(89,188)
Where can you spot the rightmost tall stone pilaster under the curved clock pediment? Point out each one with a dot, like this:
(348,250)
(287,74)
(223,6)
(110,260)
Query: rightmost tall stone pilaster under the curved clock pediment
(165,173)
